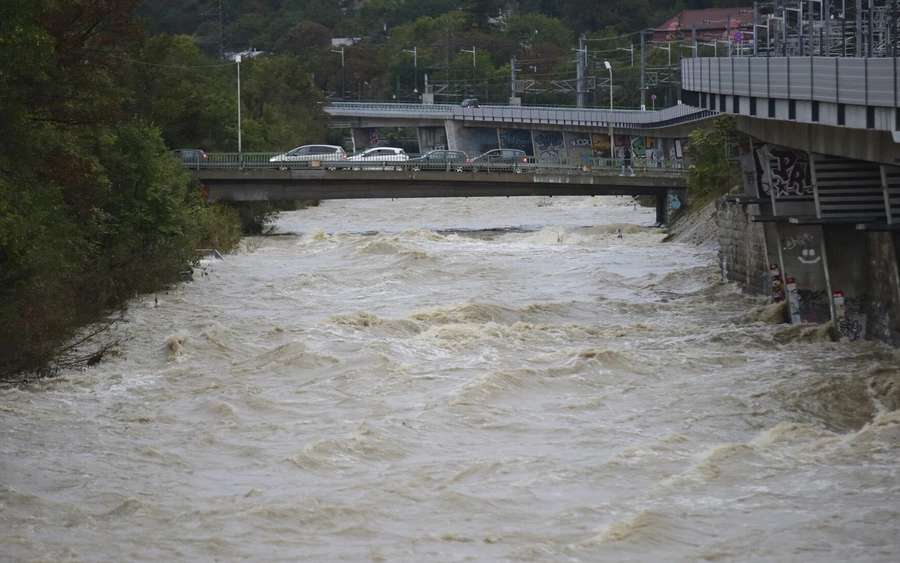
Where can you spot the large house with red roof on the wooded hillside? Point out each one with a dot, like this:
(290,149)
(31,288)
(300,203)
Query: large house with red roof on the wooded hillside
(710,24)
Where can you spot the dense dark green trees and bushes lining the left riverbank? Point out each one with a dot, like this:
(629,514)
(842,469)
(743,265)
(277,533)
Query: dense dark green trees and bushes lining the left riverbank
(93,208)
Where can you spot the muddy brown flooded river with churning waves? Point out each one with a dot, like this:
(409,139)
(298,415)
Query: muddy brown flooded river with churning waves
(459,380)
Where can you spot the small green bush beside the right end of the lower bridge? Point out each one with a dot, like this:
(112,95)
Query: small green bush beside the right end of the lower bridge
(712,173)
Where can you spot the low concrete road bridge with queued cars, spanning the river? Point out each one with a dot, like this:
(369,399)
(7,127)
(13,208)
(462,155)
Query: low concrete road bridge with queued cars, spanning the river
(251,177)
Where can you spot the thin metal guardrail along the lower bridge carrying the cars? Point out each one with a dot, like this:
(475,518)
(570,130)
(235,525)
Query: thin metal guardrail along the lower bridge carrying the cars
(531,165)
